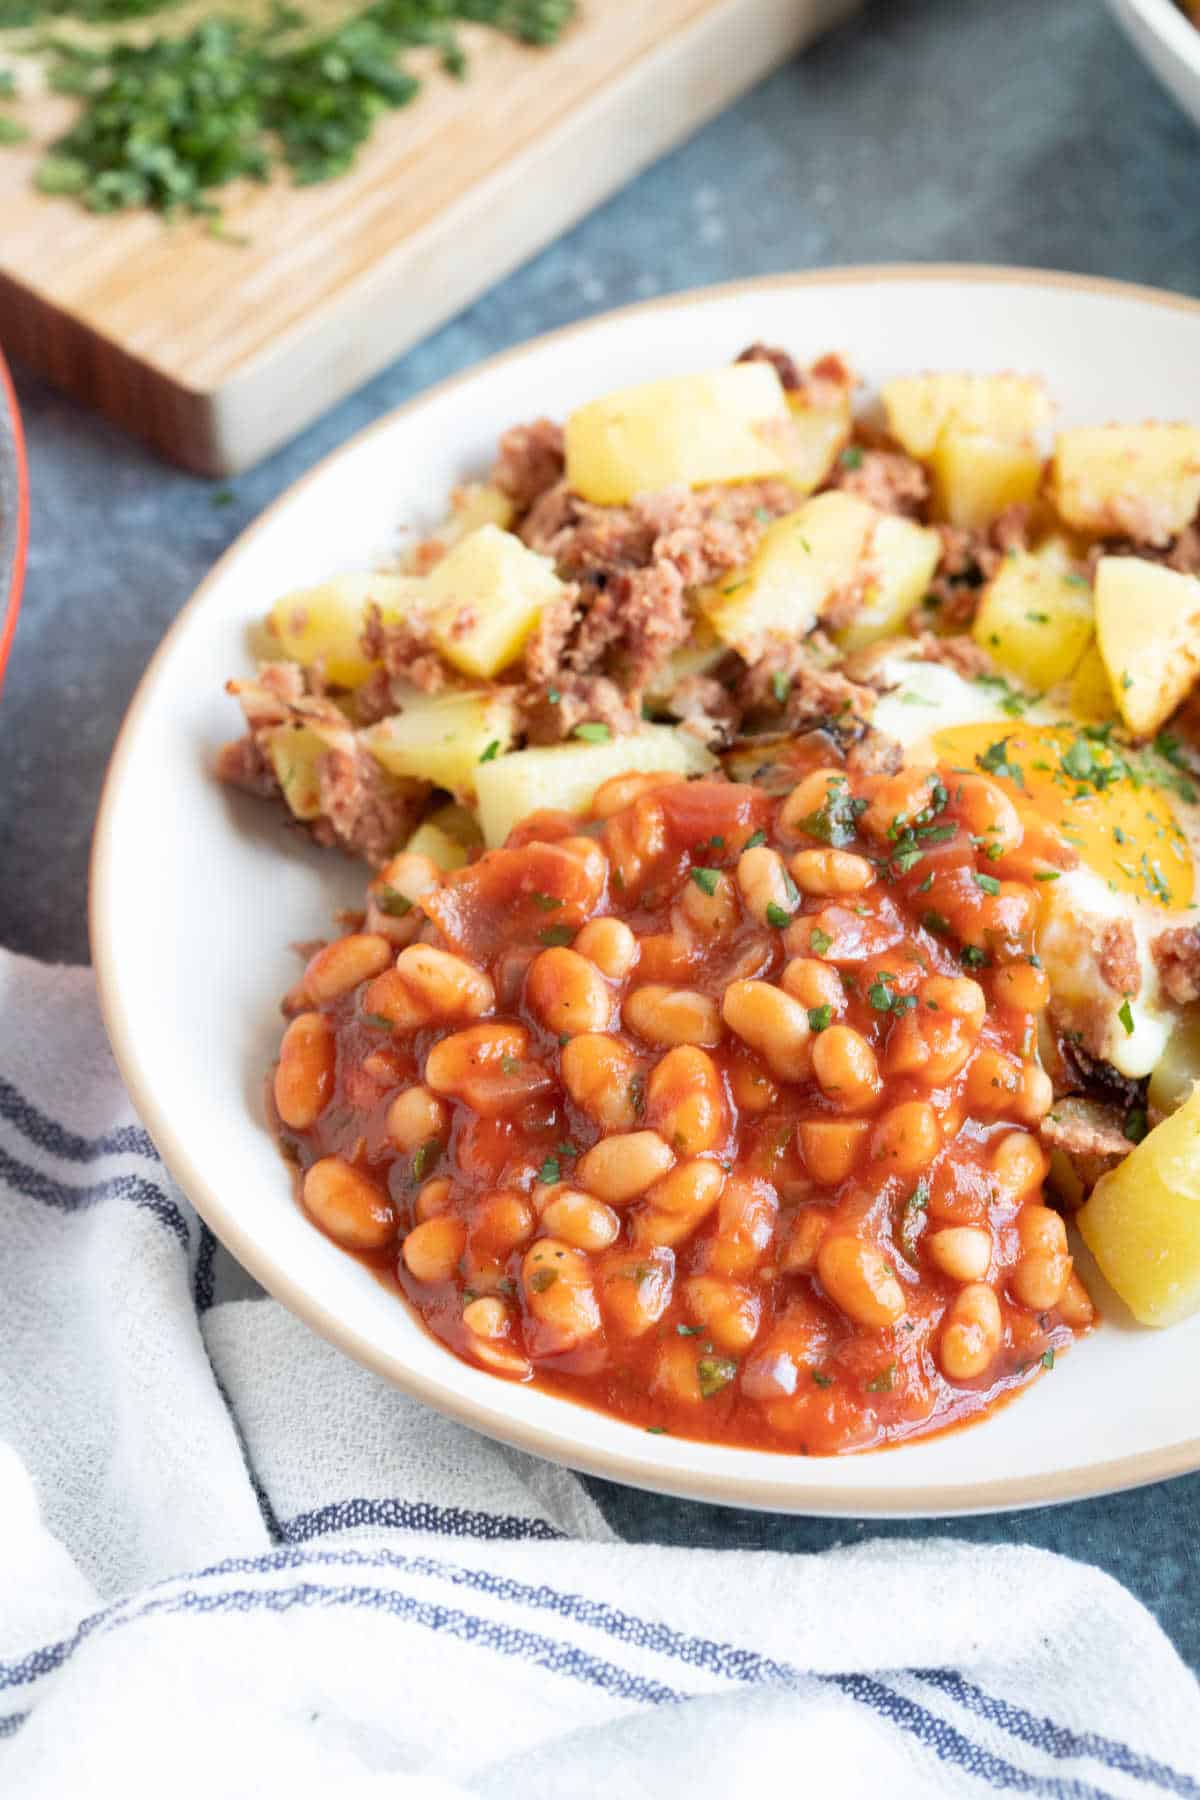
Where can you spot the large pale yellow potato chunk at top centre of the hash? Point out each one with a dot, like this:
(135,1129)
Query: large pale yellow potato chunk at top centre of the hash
(719,426)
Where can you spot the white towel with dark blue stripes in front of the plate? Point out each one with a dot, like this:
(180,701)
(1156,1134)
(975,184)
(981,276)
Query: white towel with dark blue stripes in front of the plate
(237,1565)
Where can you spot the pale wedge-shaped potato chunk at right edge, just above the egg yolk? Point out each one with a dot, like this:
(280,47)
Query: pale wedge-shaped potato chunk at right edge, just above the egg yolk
(1149,634)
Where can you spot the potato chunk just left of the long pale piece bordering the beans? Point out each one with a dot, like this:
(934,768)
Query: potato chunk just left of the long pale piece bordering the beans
(443,737)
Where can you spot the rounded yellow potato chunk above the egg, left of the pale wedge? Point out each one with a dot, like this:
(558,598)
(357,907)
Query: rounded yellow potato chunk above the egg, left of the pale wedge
(1035,618)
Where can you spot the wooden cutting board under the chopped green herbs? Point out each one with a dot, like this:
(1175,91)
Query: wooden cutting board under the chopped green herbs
(217,352)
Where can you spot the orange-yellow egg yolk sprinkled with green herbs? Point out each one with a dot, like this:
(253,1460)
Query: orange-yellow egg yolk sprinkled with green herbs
(1097,798)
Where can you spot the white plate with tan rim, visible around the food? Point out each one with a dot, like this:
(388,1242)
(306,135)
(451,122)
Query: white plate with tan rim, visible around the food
(197,892)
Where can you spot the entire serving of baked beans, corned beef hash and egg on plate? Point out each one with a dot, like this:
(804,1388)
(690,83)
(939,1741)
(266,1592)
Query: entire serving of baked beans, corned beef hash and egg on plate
(782,919)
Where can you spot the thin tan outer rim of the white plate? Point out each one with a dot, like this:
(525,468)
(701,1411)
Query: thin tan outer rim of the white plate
(832,1500)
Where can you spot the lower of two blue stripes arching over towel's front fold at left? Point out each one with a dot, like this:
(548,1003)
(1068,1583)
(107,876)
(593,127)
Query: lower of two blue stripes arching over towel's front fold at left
(470,1628)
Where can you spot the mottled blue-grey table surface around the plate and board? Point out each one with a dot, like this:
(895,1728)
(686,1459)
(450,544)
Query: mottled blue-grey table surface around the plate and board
(944,130)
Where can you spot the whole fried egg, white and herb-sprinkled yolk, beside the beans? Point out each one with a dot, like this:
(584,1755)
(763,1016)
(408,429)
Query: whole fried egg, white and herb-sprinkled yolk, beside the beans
(1133,820)
